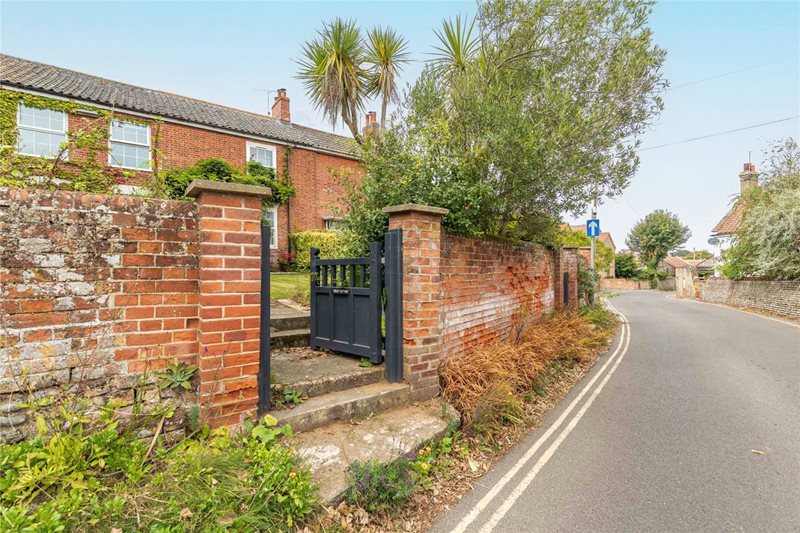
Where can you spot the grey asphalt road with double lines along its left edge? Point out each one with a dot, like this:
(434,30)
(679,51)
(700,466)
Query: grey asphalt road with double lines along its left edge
(660,437)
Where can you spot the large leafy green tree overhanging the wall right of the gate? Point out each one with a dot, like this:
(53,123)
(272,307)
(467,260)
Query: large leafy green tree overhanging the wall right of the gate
(519,118)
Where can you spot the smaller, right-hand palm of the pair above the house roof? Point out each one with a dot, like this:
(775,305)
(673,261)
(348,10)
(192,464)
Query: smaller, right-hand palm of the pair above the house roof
(386,54)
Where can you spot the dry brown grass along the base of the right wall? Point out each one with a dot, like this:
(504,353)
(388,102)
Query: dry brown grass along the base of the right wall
(471,380)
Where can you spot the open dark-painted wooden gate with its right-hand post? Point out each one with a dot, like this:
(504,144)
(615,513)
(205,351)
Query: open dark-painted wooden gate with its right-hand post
(347,304)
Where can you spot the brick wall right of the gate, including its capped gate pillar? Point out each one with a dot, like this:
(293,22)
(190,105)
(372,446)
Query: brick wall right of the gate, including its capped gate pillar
(459,292)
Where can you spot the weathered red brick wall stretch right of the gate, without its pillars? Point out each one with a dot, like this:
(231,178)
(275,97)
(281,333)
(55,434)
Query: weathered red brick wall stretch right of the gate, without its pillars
(488,287)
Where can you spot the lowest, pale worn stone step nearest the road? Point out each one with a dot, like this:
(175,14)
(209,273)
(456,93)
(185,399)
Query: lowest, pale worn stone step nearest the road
(385,437)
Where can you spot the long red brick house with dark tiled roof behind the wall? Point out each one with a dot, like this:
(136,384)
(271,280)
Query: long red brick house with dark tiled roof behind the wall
(188,130)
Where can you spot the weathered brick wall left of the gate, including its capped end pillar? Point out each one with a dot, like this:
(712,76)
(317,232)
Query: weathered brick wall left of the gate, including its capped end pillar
(103,290)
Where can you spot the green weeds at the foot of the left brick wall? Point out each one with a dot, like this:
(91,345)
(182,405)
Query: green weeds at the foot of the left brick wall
(71,479)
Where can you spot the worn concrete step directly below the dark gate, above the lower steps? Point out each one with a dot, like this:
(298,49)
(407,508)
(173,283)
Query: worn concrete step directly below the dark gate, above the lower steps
(314,373)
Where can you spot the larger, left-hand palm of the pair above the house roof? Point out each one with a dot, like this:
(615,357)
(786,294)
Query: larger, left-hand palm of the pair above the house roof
(332,72)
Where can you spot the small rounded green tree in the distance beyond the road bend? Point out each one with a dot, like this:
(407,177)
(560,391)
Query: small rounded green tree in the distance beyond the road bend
(655,235)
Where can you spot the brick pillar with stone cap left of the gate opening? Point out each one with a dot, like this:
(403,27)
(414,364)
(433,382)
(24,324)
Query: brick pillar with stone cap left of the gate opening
(229,221)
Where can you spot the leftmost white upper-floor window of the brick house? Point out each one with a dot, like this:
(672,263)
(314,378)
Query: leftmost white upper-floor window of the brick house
(40,131)
